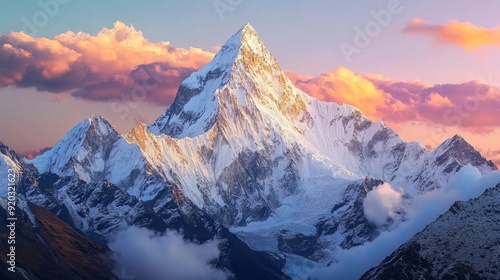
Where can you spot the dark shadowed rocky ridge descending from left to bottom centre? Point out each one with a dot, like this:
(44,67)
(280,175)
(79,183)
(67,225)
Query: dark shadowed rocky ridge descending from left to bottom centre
(100,209)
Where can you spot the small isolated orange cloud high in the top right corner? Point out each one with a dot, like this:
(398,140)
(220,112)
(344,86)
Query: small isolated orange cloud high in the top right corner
(463,34)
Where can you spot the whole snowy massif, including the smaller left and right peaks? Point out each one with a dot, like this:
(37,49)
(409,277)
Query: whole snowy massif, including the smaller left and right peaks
(245,146)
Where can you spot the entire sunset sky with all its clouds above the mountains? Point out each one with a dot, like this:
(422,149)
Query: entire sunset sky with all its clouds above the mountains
(428,69)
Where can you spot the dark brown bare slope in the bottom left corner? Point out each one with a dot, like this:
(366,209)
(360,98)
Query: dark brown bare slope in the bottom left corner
(47,248)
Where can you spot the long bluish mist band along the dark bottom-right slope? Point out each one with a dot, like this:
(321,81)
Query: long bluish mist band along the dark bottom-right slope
(466,184)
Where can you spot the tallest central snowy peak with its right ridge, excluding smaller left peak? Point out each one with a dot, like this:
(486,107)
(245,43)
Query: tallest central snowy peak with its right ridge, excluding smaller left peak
(240,138)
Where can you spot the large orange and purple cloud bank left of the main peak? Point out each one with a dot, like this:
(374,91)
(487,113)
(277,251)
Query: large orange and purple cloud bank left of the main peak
(107,66)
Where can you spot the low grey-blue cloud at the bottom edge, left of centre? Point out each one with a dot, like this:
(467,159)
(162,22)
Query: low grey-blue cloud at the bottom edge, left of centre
(144,254)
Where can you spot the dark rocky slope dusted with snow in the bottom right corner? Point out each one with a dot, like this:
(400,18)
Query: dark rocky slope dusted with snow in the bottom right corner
(463,243)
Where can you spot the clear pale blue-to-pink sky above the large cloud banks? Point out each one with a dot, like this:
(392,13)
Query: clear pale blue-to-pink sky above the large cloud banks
(303,36)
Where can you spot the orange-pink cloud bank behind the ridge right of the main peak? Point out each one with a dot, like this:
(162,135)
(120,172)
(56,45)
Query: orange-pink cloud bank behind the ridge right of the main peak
(473,106)
